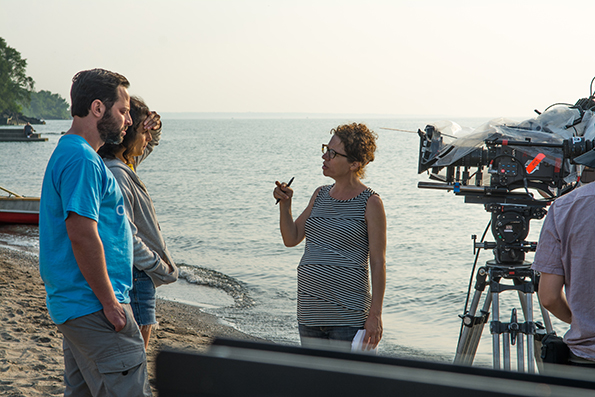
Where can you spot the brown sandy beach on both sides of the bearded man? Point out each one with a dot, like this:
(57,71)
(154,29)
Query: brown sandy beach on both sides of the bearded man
(31,362)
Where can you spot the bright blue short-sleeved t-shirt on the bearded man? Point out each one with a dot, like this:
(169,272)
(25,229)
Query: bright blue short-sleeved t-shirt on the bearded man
(76,180)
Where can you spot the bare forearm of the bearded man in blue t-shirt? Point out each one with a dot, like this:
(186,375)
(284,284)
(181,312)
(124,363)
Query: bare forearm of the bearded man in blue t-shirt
(90,257)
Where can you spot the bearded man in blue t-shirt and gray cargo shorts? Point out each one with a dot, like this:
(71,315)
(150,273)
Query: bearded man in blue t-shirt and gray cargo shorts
(85,249)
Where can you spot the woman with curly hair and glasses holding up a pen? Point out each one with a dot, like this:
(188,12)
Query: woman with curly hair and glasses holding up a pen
(344,226)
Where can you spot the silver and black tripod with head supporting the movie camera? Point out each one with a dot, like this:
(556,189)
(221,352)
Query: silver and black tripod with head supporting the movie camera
(510,227)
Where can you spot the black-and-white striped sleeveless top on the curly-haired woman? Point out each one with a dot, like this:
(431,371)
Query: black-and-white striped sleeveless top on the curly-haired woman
(333,284)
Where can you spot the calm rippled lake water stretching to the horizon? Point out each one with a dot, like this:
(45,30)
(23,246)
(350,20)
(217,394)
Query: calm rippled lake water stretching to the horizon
(212,180)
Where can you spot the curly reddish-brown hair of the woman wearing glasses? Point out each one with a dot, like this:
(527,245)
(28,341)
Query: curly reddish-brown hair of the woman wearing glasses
(359,142)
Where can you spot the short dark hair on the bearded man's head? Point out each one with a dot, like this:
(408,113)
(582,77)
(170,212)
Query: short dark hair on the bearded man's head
(89,85)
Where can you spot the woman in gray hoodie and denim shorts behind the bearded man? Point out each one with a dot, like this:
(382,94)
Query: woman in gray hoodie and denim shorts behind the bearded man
(153,264)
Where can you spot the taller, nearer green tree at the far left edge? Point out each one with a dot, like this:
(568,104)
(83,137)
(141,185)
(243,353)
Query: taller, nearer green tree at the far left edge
(15,85)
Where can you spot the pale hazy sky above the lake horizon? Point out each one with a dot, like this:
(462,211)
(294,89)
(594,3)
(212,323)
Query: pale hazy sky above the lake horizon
(405,58)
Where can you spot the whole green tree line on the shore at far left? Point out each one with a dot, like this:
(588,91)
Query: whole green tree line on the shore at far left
(17,90)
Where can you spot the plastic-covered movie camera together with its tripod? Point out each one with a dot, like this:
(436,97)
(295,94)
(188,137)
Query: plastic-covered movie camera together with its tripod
(516,170)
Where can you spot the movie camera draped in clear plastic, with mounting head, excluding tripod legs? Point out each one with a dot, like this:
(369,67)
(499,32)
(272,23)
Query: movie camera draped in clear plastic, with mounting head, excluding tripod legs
(501,165)
